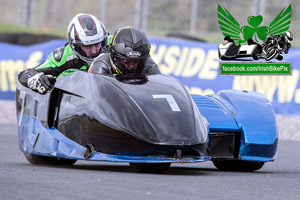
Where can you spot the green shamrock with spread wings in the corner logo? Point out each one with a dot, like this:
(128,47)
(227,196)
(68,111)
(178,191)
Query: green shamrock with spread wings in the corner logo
(230,27)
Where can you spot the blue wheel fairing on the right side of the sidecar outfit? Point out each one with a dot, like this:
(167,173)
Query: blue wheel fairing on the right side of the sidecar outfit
(247,112)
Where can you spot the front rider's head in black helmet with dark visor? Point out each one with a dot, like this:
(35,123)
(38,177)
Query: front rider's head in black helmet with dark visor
(128,50)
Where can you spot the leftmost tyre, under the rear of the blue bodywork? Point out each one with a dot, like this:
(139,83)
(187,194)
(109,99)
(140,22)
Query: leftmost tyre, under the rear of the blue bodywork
(45,160)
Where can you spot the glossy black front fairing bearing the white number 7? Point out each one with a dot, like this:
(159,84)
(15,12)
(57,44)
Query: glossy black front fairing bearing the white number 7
(157,111)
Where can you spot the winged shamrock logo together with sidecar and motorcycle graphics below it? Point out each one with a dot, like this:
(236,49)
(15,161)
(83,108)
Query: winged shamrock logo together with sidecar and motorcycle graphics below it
(263,42)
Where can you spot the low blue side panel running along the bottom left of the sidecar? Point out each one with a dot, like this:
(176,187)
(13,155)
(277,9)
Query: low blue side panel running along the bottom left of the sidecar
(36,138)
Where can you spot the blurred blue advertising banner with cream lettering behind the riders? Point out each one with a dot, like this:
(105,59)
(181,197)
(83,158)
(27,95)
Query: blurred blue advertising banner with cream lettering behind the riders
(195,64)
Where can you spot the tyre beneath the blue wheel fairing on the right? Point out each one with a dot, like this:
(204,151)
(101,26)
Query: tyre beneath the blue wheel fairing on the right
(237,165)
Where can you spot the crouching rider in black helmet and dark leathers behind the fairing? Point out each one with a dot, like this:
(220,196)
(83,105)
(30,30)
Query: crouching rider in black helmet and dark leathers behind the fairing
(128,54)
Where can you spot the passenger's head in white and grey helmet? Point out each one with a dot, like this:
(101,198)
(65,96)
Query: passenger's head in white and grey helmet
(86,35)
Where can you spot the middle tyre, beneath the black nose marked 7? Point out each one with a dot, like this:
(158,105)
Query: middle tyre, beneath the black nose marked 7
(150,167)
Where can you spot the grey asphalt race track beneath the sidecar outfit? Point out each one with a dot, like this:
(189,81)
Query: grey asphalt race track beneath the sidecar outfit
(98,180)
